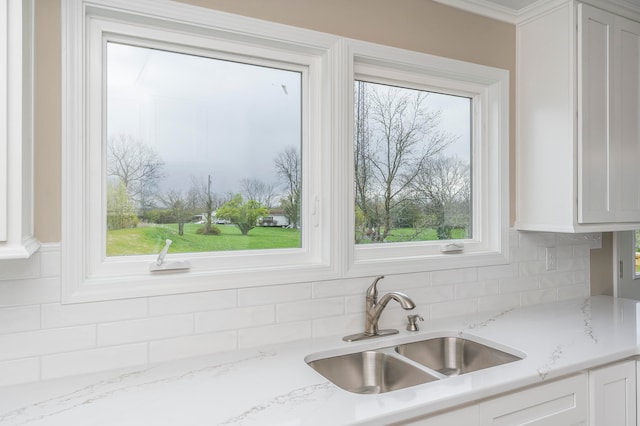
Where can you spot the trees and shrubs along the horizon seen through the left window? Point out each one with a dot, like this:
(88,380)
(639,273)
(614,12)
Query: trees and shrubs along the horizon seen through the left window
(135,168)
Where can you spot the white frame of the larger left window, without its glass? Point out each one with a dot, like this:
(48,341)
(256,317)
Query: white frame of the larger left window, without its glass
(88,274)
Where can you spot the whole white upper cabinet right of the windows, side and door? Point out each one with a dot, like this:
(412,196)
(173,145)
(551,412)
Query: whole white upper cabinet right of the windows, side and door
(578,134)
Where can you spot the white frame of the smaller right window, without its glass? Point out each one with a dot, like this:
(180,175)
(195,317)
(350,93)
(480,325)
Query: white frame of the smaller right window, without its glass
(489,90)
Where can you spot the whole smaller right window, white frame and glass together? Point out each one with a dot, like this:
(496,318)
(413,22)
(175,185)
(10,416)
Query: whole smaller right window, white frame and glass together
(431,137)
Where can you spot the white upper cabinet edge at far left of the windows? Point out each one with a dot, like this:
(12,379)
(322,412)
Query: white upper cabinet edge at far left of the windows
(16,134)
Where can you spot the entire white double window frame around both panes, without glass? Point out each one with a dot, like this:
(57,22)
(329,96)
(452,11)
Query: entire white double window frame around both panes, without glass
(328,250)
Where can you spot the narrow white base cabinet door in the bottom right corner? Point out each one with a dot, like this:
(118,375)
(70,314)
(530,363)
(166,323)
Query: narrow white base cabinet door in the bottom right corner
(613,394)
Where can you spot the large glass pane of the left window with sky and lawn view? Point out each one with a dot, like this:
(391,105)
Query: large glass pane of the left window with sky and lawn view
(205,152)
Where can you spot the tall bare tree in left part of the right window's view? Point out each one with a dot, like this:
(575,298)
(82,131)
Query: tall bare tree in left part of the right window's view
(402,134)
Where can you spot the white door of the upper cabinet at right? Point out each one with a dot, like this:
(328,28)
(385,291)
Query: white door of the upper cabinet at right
(608,111)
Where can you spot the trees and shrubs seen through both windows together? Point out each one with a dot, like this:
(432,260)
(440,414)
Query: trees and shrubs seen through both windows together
(403,177)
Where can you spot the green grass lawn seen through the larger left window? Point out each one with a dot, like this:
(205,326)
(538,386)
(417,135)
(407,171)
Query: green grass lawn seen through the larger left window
(150,239)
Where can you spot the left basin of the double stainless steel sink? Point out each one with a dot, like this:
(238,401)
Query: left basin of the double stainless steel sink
(370,372)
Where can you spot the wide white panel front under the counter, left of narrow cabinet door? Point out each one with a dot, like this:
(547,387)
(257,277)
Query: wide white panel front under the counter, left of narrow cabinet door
(563,402)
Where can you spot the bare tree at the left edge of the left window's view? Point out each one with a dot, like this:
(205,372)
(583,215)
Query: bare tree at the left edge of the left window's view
(137,165)
